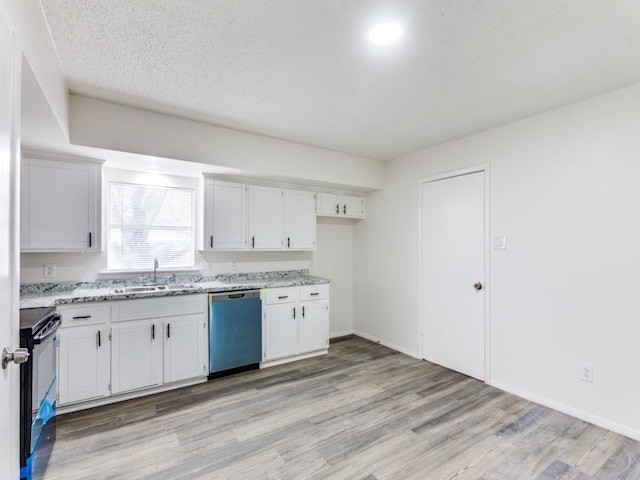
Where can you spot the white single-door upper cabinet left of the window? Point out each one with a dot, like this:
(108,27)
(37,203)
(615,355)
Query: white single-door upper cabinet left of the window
(60,204)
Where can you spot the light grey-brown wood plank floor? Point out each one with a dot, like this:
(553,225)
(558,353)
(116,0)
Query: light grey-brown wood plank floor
(362,412)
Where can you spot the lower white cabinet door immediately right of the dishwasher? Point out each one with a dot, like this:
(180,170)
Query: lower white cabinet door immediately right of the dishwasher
(281,336)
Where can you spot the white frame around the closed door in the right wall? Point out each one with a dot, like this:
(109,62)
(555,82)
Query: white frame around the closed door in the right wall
(485,169)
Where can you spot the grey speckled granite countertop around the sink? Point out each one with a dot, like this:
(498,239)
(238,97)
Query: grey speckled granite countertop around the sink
(51,294)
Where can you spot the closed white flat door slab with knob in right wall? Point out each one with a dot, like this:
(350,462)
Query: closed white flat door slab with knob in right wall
(452,268)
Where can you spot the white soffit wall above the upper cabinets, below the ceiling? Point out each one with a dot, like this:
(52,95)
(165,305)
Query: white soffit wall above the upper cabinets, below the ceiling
(96,123)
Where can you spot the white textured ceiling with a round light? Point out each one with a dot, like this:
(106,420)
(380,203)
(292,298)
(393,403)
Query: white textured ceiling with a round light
(302,70)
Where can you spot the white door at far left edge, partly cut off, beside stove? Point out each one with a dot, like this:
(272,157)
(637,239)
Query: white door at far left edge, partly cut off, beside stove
(9,378)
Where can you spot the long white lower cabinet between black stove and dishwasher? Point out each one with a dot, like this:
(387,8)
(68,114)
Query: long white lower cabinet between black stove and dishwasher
(112,348)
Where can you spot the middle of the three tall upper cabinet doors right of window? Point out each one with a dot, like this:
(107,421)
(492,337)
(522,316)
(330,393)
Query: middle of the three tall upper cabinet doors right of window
(265,218)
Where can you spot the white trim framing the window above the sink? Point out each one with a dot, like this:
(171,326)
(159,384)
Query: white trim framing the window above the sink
(156,180)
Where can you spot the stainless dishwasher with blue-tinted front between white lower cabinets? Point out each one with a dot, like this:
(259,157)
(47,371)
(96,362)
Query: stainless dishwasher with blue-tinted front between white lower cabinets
(235,332)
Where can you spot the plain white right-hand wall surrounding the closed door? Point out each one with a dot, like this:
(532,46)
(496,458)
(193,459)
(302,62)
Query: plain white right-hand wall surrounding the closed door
(565,190)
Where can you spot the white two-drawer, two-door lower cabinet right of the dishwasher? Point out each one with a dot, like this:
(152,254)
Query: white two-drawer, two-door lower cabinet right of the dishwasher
(295,321)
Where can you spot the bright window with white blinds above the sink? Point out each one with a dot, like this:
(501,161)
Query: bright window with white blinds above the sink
(148,222)
